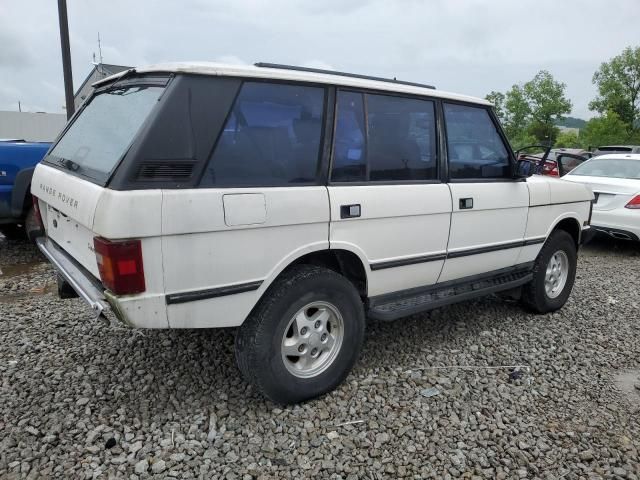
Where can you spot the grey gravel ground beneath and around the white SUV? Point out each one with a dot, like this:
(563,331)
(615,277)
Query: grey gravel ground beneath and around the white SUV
(83,399)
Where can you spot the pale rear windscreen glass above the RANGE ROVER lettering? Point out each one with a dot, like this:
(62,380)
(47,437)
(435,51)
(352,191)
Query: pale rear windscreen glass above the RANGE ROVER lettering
(102,133)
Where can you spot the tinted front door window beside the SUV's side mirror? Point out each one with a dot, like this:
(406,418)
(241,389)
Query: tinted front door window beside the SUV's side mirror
(474,146)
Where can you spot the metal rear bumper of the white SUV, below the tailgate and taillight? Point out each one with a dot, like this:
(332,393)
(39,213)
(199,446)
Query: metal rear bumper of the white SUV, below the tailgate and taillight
(81,281)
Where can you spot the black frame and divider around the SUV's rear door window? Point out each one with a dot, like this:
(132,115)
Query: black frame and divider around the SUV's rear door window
(363,92)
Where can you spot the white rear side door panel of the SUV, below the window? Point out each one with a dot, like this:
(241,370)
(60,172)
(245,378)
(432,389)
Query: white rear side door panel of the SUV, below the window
(397,222)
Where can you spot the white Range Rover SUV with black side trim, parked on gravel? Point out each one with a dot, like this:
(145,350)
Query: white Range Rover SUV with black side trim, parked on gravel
(293,203)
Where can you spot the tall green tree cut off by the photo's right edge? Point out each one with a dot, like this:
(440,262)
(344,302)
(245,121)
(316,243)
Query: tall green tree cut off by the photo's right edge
(618,82)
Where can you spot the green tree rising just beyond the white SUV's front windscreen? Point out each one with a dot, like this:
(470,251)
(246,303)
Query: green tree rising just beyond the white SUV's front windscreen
(547,101)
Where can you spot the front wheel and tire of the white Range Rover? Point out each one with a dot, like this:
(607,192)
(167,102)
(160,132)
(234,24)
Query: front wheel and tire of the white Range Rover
(554,274)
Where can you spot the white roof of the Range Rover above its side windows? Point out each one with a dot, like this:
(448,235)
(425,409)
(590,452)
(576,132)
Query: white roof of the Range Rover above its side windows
(217,69)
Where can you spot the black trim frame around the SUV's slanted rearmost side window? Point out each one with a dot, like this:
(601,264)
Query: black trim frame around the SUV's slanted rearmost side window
(327,110)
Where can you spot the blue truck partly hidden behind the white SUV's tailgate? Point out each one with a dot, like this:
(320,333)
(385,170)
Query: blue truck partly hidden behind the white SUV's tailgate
(17,162)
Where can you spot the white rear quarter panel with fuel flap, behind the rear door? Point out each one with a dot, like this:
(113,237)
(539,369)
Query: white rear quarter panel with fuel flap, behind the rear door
(201,251)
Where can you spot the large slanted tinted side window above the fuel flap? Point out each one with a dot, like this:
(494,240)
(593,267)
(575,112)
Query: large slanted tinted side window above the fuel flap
(272,137)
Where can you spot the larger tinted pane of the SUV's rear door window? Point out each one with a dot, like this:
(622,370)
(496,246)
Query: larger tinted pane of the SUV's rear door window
(402,138)
